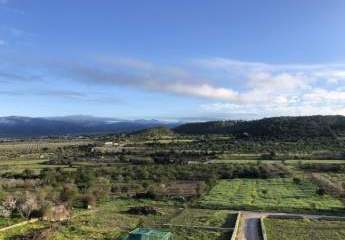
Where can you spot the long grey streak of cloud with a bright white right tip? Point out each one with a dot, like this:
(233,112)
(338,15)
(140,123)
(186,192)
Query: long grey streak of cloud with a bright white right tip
(169,80)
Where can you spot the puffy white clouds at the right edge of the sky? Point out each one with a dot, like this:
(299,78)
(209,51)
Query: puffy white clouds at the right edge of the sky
(273,90)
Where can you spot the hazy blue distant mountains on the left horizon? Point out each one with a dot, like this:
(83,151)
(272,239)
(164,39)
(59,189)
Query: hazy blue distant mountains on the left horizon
(14,126)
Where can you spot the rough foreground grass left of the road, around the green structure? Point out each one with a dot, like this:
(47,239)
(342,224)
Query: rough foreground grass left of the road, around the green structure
(110,220)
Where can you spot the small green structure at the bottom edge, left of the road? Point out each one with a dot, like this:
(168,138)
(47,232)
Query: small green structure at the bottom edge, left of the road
(149,234)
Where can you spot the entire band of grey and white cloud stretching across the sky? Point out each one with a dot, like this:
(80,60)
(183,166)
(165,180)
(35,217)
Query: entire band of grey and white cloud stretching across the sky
(226,87)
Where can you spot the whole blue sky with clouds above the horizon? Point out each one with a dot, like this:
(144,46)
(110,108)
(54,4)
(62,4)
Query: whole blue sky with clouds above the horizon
(173,60)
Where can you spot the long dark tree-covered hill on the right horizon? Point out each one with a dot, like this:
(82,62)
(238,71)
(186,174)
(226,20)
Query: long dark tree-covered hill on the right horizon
(272,128)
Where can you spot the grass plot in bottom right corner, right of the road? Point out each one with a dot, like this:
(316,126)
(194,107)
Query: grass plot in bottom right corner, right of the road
(283,229)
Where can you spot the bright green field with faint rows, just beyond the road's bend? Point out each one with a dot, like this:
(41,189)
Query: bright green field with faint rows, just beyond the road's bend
(269,194)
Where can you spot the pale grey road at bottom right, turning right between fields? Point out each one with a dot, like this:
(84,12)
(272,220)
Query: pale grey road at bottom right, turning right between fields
(250,227)
